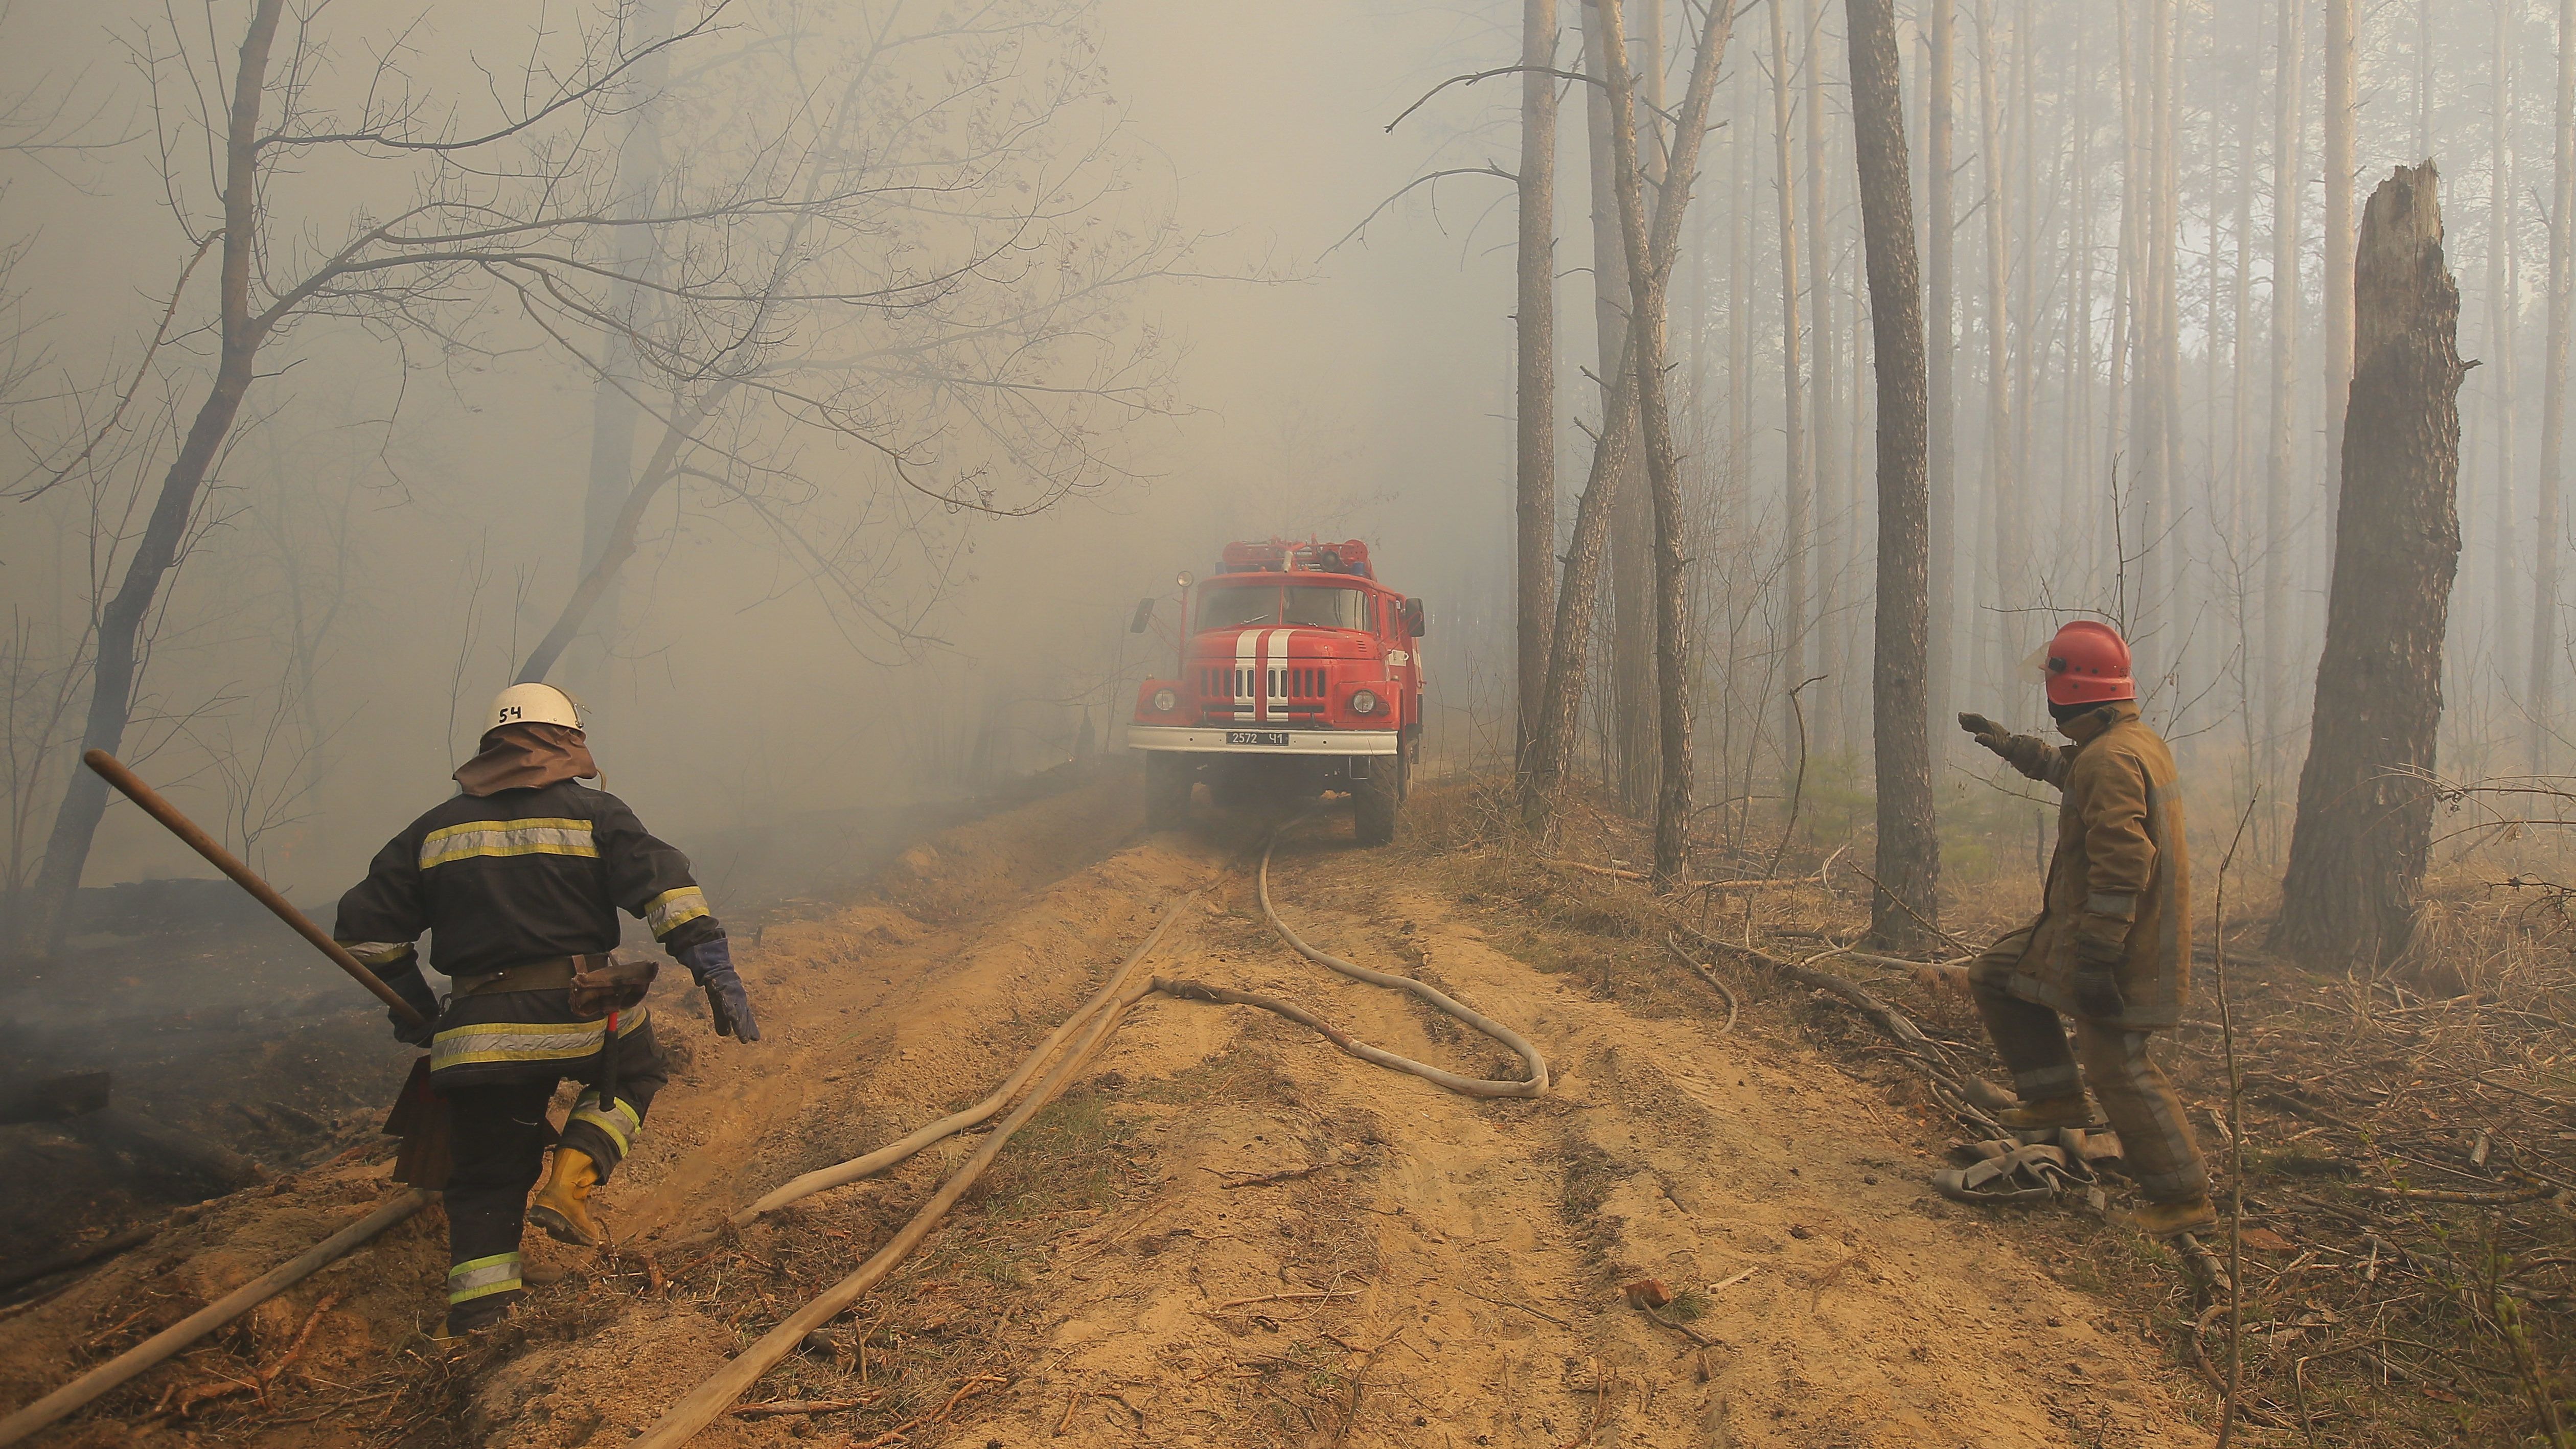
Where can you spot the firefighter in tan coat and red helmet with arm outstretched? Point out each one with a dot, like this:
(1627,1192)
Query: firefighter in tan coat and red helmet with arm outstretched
(2114,942)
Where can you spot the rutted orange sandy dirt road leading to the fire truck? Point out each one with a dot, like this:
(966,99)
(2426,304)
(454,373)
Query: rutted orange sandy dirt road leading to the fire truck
(1436,1272)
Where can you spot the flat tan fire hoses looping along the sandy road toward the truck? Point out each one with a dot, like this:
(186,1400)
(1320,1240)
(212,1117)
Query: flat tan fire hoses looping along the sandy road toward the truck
(1096,1020)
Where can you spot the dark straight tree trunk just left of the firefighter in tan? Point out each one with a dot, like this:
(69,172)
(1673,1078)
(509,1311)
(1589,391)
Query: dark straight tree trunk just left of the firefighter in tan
(1908,893)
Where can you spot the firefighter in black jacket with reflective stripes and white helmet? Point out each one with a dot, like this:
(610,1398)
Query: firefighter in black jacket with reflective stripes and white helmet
(522,878)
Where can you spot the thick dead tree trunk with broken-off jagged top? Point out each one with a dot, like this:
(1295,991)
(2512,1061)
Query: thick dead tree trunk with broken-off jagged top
(2366,795)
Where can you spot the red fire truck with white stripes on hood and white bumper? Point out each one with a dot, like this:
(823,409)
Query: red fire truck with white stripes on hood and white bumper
(1297,677)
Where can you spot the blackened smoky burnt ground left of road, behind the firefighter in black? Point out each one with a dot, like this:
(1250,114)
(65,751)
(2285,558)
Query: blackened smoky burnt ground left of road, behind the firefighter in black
(238,1053)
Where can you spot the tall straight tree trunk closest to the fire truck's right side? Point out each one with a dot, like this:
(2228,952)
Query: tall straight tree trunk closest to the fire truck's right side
(1537,378)
